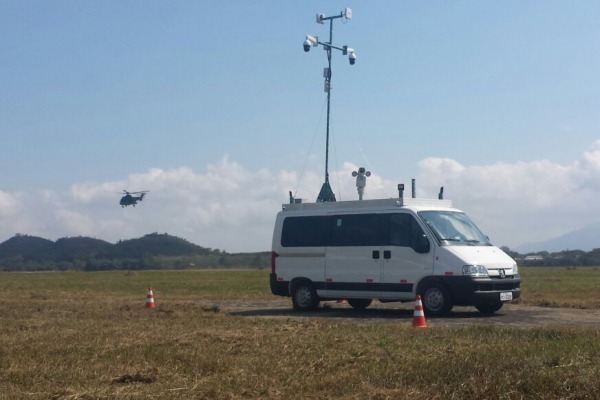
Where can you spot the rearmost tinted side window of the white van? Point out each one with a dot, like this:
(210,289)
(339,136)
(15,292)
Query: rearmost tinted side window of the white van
(304,232)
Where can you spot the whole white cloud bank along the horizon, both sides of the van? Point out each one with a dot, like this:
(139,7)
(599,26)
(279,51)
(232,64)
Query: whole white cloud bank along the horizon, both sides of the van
(231,208)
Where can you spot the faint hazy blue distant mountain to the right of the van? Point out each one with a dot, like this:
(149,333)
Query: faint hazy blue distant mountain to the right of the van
(585,239)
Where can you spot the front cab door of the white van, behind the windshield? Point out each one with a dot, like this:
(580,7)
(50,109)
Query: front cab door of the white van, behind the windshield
(403,265)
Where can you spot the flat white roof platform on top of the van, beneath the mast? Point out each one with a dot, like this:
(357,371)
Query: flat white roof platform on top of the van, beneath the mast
(371,204)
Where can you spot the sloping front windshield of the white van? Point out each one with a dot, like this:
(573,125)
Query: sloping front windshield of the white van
(454,228)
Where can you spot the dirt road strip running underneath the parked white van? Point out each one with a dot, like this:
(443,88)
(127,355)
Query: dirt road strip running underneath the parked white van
(511,315)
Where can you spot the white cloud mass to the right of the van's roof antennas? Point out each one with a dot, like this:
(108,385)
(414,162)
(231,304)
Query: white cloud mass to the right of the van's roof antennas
(523,202)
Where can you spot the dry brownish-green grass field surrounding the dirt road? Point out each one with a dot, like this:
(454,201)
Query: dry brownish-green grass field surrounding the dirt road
(87,336)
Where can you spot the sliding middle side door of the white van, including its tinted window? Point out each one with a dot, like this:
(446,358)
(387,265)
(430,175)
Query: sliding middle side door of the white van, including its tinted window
(353,255)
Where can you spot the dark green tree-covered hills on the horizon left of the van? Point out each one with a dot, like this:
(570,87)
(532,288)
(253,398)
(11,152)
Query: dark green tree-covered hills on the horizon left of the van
(152,251)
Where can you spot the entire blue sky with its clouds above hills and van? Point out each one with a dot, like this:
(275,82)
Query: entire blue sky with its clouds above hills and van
(216,110)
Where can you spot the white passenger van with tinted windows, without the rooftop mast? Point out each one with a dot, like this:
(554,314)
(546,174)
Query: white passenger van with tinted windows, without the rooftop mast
(390,250)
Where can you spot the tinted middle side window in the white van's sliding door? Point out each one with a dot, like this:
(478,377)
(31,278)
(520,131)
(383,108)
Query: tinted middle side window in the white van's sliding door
(356,230)
